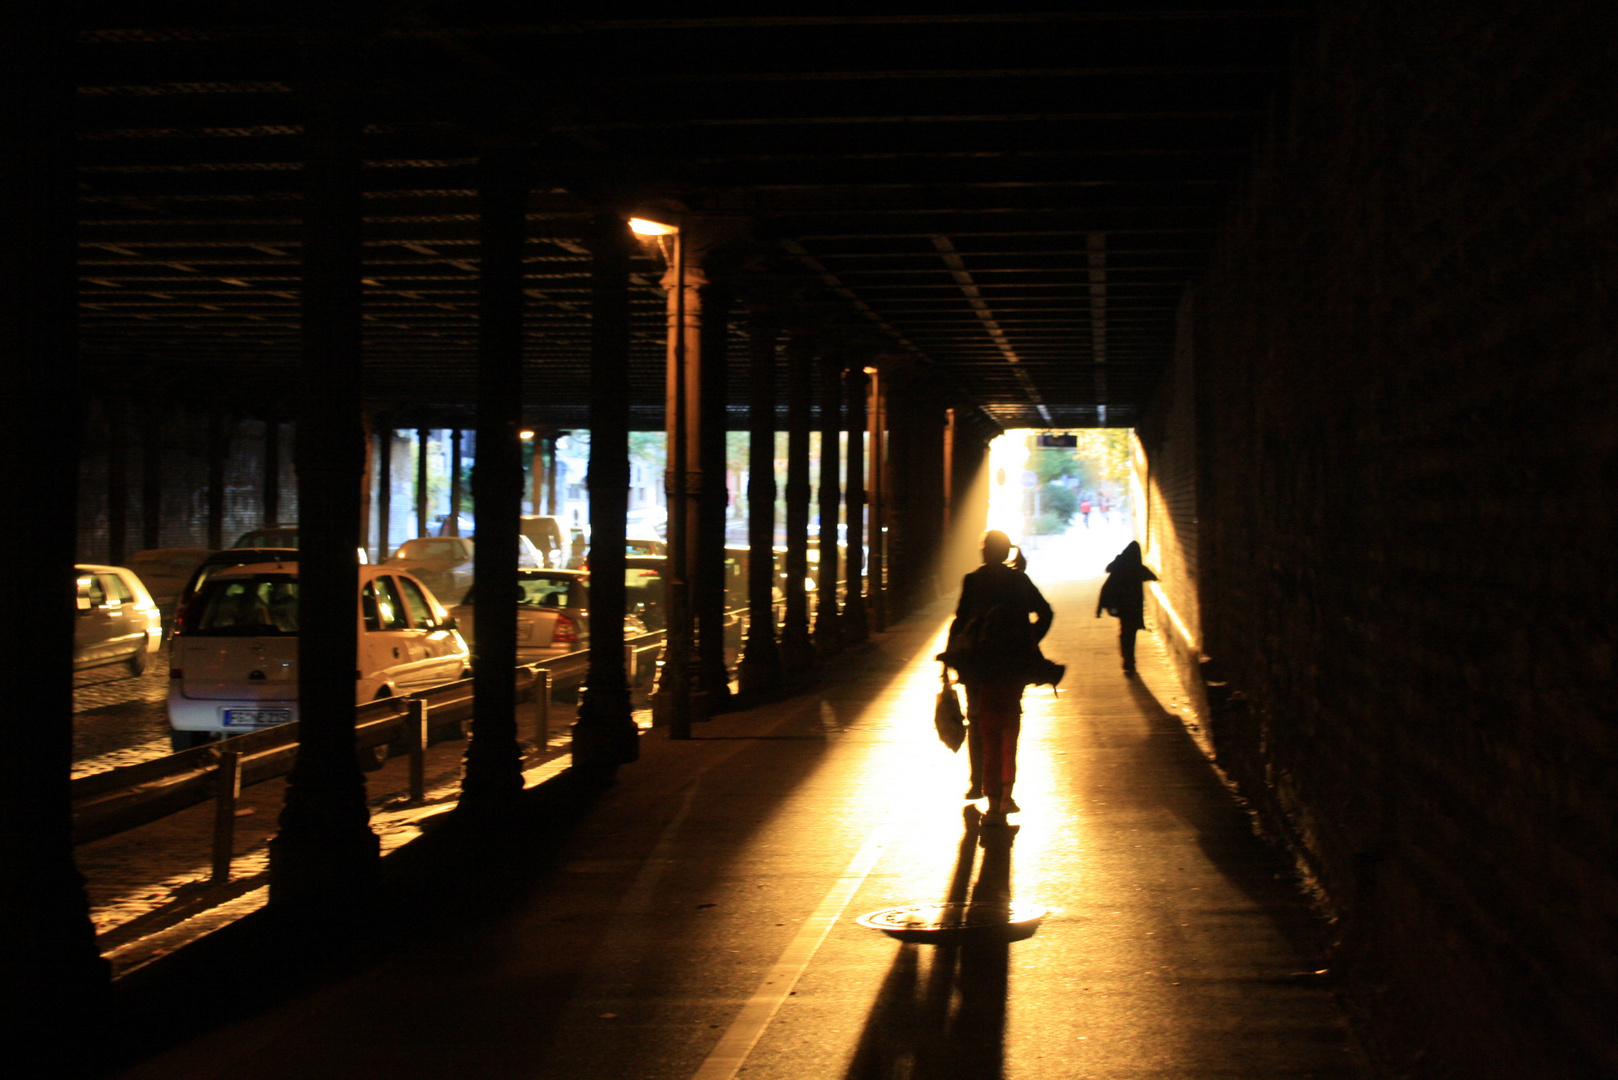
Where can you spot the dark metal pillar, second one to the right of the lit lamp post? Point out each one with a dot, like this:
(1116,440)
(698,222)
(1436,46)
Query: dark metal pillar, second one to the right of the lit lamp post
(761,663)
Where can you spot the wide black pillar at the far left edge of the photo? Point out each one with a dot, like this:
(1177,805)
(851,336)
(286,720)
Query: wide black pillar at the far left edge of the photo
(56,1016)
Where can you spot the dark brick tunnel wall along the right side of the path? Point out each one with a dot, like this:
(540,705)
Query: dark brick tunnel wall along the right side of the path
(1404,412)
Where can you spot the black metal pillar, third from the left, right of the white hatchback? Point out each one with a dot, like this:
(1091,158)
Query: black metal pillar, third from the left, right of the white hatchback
(494,763)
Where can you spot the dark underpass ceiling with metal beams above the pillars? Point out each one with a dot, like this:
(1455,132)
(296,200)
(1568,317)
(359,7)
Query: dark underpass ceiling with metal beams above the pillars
(1014,200)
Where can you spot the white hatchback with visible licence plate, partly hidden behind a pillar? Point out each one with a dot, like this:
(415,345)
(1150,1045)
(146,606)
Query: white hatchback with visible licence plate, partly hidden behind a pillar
(234,661)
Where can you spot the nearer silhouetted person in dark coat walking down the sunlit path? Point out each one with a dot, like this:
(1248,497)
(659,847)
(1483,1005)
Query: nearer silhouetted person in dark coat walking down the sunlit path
(994,692)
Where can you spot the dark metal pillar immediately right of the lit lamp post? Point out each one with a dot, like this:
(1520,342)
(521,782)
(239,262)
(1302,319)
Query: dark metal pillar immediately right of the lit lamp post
(709,577)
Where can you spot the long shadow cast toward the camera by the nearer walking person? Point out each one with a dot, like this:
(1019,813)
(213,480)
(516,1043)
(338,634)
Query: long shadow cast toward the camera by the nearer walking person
(941,1010)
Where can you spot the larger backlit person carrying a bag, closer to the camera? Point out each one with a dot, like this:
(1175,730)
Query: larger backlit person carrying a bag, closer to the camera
(994,648)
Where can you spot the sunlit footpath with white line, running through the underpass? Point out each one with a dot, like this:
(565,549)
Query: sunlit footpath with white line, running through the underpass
(701,921)
